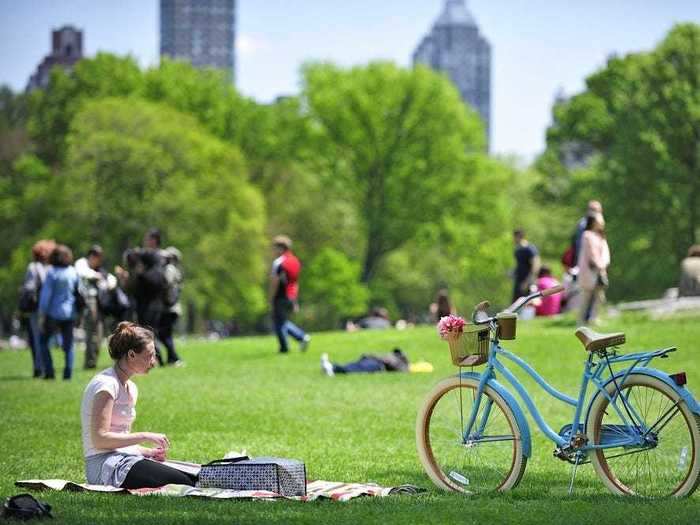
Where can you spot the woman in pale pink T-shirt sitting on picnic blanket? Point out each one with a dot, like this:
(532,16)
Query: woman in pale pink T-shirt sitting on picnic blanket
(113,455)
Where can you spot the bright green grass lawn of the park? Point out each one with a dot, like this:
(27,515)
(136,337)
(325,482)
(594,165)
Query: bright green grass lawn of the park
(239,393)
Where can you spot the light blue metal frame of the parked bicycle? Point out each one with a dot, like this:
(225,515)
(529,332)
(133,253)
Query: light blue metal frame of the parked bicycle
(593,373)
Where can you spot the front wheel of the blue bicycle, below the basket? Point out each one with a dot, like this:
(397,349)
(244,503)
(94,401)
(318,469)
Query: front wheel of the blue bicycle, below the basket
(489,458)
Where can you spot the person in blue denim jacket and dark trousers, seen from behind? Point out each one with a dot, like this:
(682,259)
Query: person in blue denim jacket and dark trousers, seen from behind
(57,309)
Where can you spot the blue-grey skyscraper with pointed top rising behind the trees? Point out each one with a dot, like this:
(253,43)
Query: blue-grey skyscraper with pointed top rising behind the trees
(455,46)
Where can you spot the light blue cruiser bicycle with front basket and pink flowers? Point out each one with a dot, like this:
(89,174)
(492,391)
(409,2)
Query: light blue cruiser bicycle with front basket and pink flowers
(639,427)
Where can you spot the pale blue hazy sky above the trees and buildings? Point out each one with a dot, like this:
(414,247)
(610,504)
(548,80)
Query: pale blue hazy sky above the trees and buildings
(538,46)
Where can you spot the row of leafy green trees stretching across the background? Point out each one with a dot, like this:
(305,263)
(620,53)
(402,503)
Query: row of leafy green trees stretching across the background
(379,173)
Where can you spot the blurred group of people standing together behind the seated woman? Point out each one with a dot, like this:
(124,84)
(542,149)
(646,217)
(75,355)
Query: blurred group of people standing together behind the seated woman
(57,295)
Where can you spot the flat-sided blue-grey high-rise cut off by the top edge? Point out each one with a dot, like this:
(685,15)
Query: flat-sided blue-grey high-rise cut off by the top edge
(202,32)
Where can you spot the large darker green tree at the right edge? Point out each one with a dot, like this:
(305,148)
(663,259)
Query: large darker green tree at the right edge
(637,126)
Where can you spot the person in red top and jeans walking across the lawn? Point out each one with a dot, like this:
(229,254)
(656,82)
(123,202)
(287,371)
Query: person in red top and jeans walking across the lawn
(284,292)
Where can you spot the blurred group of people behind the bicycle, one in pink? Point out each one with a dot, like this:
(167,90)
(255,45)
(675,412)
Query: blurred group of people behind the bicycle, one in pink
(585,261)
